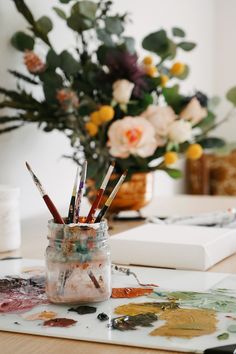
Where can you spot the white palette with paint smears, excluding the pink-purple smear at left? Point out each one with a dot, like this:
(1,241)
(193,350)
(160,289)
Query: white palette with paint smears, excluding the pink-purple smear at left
(141,321)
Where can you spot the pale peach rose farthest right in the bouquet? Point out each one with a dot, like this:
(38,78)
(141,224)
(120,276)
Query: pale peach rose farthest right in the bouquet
(193,112)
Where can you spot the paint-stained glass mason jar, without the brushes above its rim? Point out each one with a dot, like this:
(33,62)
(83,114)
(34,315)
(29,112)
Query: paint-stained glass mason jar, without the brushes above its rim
(78,265)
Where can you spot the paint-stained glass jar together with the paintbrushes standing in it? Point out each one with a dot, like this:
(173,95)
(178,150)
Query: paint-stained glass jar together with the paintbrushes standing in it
(78,265)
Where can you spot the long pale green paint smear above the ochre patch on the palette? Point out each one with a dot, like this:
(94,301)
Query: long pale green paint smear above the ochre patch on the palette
(216,299)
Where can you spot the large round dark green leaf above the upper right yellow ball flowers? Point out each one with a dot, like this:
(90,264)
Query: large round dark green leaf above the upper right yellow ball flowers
(156,42)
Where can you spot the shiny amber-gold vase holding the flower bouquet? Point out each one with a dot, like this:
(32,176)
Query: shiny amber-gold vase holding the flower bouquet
(134,194)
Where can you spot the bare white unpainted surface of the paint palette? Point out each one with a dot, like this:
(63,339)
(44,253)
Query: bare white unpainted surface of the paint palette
(89,328)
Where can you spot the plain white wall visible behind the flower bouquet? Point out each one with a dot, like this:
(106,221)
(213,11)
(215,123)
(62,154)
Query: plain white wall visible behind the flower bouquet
(209,23)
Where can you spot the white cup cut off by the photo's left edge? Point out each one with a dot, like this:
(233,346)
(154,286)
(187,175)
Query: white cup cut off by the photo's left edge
(10,235)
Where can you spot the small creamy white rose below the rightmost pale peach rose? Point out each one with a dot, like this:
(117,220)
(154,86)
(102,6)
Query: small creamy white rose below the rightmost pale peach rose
(180,131)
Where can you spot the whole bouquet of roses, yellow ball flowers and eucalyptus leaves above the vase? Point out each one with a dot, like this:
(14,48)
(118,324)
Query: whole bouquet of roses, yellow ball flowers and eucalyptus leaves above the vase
(108,100)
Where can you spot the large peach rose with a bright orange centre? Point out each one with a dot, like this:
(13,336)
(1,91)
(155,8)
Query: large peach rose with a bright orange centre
(131,136)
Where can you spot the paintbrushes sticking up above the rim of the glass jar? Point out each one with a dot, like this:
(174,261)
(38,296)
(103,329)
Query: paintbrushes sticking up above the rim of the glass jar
(77,193)
